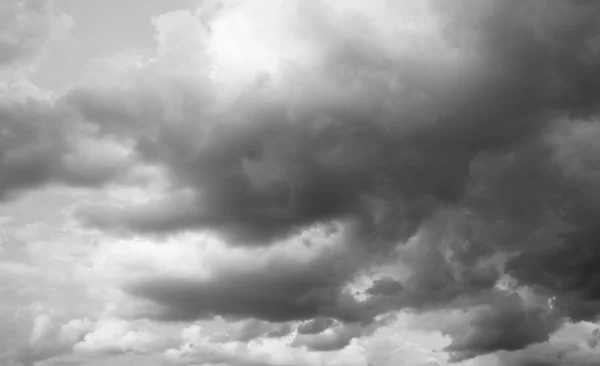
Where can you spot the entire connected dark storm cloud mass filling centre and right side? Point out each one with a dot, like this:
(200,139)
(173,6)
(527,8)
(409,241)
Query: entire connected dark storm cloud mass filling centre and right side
(481,148)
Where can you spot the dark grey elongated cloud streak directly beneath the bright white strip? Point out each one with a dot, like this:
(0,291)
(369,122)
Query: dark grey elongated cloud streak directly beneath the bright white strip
(280,291)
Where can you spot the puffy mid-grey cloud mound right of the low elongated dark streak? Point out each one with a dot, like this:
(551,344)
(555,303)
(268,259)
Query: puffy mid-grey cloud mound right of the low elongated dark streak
(449,263)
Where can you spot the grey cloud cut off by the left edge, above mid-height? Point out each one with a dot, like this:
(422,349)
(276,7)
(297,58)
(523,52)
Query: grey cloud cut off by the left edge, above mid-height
(40,145)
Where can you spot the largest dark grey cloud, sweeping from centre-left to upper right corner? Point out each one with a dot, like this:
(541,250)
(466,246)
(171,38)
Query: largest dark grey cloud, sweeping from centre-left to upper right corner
(323,164)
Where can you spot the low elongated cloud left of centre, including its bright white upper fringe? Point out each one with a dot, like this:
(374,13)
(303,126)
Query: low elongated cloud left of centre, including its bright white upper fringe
(296,280)
